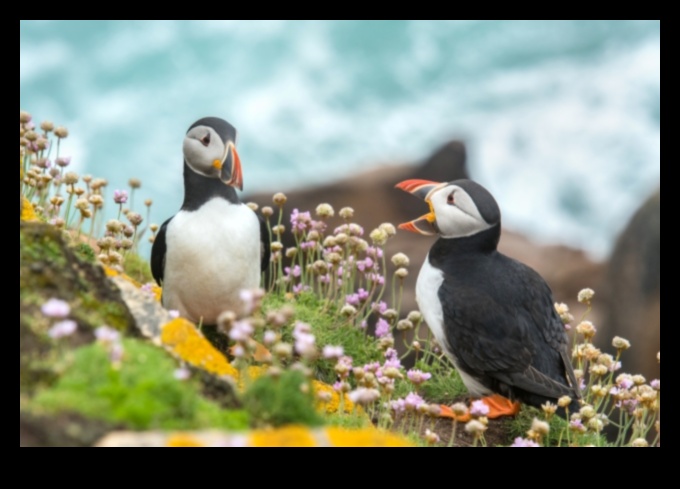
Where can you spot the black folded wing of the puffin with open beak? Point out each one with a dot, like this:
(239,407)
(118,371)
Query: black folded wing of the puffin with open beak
(508,330)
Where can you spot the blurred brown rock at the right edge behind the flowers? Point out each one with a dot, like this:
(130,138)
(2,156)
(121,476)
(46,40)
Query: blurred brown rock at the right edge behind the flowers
(633,278)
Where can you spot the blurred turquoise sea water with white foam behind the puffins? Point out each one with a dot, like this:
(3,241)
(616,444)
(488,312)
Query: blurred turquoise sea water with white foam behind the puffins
(562,118)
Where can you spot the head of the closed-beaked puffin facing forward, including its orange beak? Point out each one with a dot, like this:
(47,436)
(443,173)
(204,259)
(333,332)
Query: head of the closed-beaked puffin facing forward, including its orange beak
(210,150)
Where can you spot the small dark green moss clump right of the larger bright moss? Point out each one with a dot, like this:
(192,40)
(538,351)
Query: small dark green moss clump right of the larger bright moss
(277,401)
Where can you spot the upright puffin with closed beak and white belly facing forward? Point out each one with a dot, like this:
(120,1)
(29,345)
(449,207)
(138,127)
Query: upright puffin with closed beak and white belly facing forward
(215,246)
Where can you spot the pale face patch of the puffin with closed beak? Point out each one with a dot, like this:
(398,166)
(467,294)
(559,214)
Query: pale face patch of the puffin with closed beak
(202,147)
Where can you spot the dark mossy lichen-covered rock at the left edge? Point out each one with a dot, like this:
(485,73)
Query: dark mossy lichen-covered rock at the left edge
(49,268)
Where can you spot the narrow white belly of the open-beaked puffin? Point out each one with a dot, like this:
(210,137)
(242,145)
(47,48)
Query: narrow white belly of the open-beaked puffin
(427,297)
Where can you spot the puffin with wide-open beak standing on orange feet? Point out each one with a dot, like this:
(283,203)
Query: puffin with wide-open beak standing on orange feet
(493,316)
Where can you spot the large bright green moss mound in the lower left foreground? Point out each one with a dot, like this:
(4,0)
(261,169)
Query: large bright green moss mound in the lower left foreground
(141,394)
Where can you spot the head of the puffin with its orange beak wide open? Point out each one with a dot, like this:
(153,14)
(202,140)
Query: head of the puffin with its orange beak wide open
(457,209)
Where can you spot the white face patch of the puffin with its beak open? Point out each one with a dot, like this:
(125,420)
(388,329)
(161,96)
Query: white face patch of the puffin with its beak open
(456,214)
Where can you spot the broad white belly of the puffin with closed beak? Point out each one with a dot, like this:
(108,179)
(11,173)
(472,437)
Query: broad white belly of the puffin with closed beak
(212,254)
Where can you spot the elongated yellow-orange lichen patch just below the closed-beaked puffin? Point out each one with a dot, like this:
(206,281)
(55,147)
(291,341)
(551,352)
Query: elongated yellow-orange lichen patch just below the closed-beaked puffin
(188,343)
